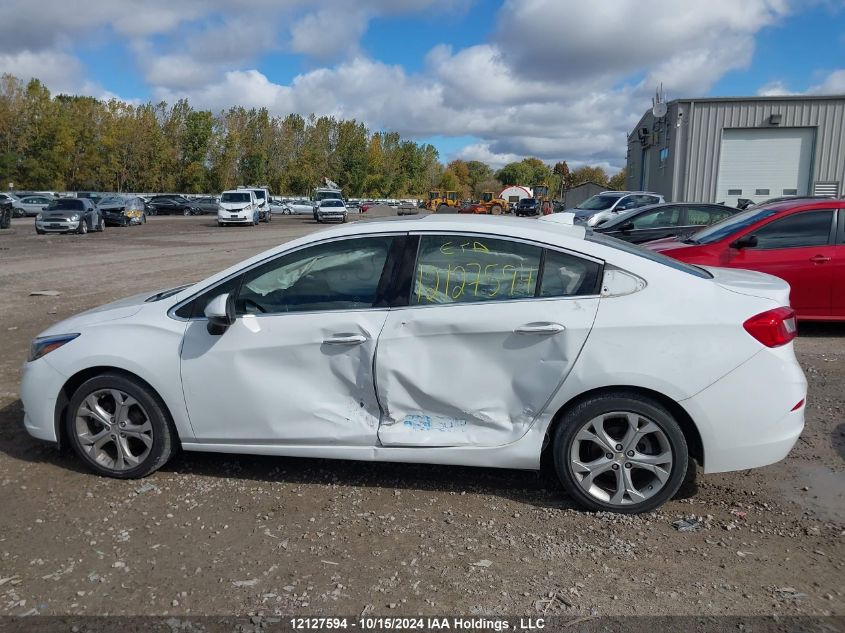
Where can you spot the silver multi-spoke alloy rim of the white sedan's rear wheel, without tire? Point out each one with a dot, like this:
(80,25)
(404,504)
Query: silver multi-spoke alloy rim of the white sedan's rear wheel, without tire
(621,458)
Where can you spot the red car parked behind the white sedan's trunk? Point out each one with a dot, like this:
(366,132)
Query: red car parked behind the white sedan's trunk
(801,241)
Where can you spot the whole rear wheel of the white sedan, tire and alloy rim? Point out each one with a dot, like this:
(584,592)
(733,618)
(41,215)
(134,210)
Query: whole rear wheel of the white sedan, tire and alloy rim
(620,453)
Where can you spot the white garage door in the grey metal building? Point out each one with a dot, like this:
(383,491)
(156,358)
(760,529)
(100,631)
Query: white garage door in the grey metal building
(764,163)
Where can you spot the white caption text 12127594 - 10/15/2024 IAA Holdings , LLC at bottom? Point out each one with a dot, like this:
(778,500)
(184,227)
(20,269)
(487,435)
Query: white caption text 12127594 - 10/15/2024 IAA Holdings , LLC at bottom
(375,623)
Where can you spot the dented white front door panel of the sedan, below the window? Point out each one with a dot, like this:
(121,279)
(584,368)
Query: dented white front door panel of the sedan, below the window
(274,379)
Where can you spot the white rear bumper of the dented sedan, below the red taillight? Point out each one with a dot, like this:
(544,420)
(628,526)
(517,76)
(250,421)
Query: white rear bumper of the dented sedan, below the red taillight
(749,418)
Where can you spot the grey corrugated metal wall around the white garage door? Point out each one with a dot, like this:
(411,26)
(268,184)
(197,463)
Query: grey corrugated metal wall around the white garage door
(694,140)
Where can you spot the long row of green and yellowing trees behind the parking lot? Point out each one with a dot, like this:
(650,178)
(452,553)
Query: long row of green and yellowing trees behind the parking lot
(75,143)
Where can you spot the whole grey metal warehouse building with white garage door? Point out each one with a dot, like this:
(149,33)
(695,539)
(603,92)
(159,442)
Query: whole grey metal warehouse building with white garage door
(724,149)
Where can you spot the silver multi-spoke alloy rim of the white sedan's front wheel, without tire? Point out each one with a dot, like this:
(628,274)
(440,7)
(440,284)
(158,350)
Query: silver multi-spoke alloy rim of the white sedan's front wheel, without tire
(114,429)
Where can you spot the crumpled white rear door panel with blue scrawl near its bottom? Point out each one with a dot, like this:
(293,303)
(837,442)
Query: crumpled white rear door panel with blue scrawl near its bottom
(460,375)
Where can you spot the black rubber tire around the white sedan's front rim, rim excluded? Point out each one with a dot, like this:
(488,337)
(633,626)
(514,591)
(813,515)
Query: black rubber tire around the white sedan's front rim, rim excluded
(165,440)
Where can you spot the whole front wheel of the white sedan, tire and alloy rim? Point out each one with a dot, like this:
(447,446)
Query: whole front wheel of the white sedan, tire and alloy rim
(119,427)
